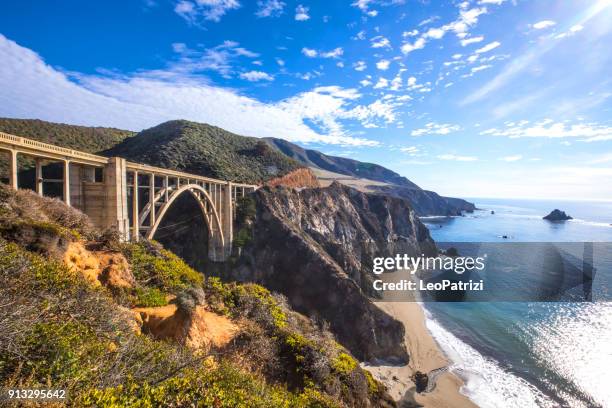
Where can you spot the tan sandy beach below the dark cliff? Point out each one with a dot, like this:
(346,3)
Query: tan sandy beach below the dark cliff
(425,356)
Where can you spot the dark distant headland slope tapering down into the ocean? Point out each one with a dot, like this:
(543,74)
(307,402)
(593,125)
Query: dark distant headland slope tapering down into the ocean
(427,202)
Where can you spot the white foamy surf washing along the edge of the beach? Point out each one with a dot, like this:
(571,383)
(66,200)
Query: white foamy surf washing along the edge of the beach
(486,383)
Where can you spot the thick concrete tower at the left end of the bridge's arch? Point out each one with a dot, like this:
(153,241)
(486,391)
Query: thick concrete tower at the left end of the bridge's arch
(115,206)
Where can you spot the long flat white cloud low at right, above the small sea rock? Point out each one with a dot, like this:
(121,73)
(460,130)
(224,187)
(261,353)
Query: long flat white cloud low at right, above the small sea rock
(586,132)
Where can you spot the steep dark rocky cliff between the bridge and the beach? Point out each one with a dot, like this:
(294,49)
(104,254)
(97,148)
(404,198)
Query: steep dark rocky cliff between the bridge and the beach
(313,246)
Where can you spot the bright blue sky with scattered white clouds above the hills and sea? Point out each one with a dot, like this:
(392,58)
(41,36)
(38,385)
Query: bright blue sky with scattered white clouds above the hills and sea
(489,98)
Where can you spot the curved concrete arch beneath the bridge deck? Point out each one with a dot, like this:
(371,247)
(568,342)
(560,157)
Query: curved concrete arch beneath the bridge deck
(209,212)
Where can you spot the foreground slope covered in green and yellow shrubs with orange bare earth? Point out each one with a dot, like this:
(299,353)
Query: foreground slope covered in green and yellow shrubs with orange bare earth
(90,320)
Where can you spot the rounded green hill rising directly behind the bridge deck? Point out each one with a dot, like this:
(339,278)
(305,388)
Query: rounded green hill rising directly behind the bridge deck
(206,150)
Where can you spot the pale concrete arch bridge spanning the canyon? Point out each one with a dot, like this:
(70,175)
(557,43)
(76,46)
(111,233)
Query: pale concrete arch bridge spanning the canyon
(130,197)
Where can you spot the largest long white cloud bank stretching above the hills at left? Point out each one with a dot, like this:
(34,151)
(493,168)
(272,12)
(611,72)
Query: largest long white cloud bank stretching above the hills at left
(29,88)
